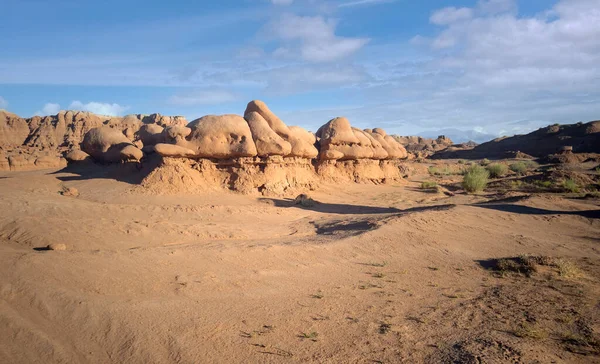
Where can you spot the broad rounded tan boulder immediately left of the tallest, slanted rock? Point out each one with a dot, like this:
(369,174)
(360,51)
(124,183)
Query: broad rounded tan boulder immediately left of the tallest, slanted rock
(221,137)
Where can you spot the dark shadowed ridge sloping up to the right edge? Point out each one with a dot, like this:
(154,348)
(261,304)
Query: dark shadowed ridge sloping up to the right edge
(550,140)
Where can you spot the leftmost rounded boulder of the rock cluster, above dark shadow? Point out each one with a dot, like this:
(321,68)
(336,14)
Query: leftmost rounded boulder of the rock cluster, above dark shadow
(105,144)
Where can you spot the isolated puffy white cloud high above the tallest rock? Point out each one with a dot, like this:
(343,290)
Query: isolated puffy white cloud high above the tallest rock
(314,37)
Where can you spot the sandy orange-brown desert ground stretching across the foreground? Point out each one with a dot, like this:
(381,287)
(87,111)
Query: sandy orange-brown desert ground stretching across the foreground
(370,274)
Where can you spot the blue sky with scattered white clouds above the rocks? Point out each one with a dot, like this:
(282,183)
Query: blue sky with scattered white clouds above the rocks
(474,69)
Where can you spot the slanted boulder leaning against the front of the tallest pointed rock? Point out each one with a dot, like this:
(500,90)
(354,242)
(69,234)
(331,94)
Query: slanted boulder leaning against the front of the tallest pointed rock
(267,141)
